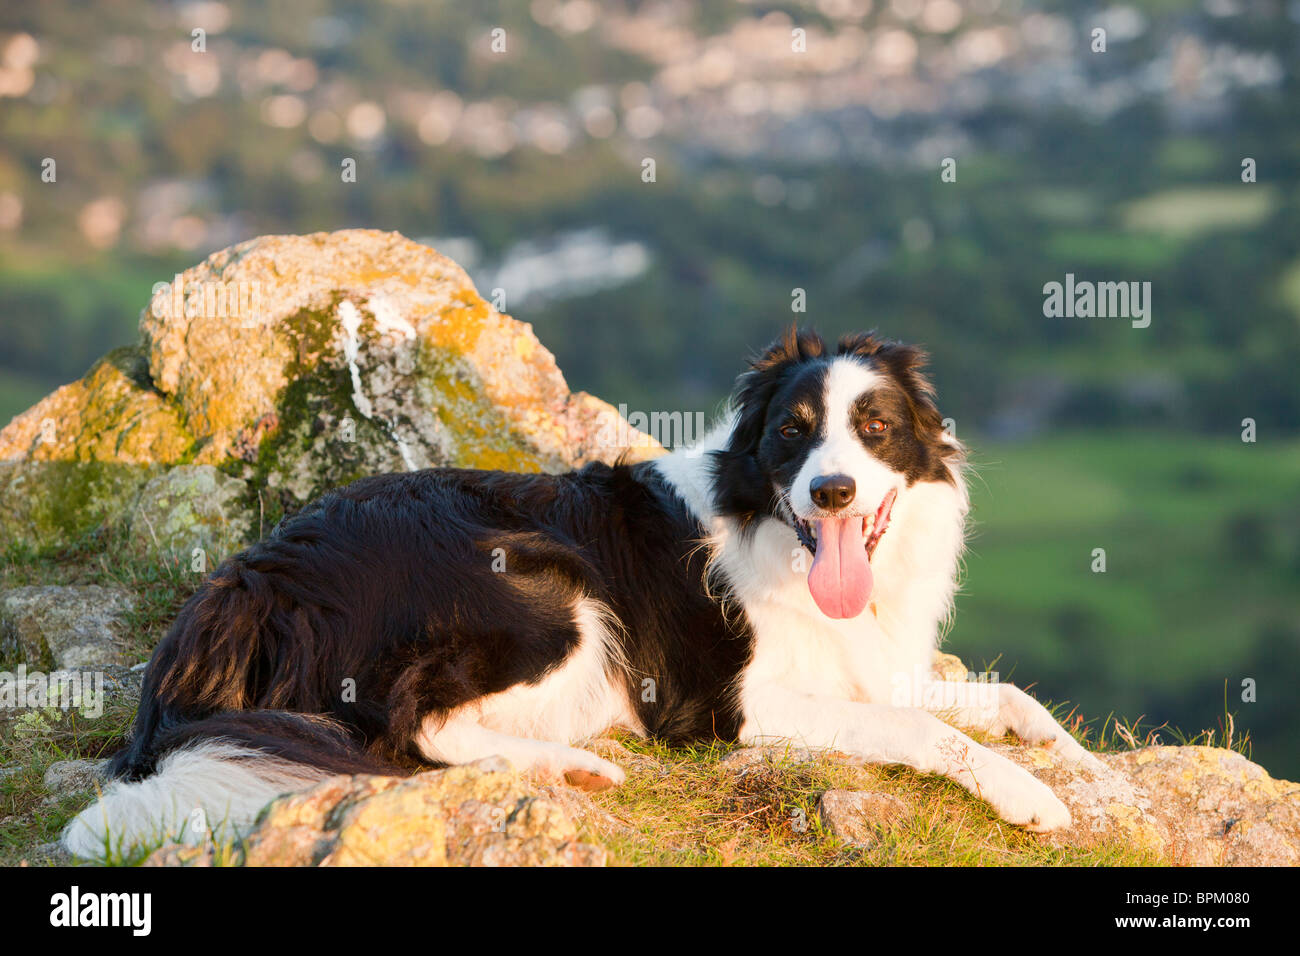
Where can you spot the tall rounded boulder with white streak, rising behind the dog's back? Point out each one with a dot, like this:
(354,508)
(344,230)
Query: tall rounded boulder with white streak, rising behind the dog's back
(365,353)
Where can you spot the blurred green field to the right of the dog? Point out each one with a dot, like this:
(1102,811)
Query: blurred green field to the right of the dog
(1203,560)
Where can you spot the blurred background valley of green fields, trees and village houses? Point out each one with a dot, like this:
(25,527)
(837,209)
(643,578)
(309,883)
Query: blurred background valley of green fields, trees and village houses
(775,168)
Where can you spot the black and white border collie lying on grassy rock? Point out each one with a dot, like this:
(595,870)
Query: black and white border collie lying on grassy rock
(786,581)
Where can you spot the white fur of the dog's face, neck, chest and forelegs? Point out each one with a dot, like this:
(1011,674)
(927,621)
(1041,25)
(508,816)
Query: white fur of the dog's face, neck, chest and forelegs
(827,684)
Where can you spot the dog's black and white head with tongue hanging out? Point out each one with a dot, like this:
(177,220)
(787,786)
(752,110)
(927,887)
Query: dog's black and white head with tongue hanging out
(826,443)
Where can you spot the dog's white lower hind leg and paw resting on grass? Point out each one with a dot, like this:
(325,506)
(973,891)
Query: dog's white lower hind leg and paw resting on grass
(461,739)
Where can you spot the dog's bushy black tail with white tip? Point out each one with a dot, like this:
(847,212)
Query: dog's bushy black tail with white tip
(211,778)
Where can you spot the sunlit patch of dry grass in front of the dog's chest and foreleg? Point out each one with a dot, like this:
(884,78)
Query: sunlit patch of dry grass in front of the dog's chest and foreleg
(688,808)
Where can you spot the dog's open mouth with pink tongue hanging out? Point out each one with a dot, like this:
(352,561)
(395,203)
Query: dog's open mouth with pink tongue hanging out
(840,578)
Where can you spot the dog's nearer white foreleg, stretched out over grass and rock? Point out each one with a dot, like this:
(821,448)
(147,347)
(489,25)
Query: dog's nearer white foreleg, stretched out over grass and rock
(885,734)
